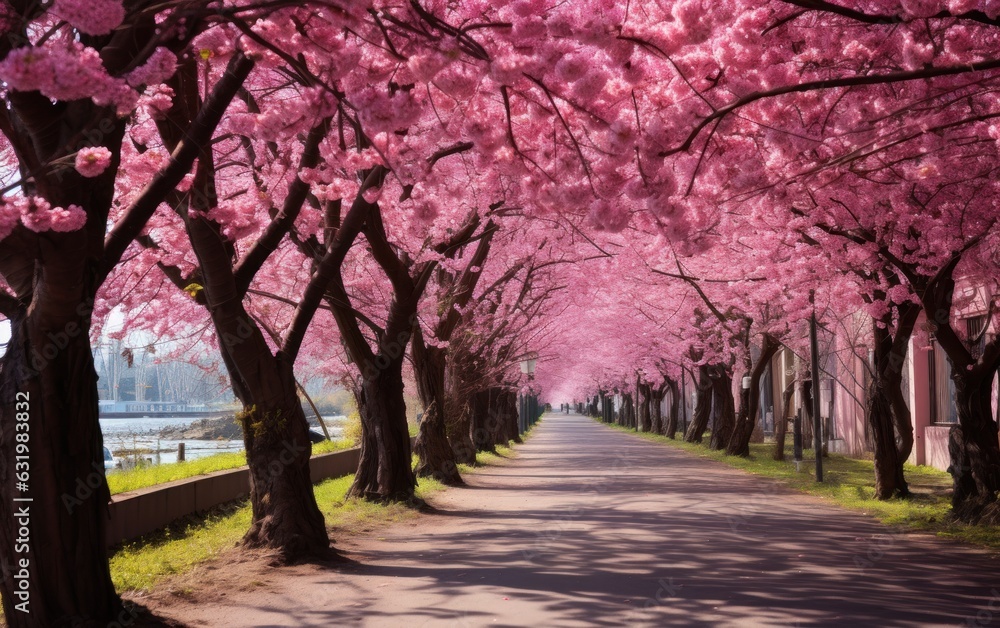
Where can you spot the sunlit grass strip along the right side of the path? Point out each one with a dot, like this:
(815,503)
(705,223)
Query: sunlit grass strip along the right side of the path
(849,482)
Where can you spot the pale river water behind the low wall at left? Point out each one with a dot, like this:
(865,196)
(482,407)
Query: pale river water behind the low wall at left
(143,433)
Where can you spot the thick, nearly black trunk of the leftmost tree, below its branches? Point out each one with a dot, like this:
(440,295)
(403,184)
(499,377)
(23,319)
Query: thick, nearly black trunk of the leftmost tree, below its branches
(48,383)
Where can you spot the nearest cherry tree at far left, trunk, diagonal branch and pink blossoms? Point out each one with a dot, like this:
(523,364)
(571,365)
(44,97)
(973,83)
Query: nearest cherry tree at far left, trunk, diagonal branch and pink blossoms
(74,74)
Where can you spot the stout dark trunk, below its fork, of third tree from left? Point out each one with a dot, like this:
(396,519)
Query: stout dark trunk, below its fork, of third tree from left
(384,472)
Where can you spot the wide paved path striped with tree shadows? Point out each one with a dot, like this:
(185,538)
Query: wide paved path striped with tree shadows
(591,526)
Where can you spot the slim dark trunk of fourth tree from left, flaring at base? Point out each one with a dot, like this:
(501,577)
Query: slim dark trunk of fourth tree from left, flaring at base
(436,458)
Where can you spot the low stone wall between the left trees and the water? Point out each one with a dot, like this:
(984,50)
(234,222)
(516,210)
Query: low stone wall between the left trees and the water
(136,513)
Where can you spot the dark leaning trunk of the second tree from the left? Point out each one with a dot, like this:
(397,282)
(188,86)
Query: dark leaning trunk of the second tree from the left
(285,516)
